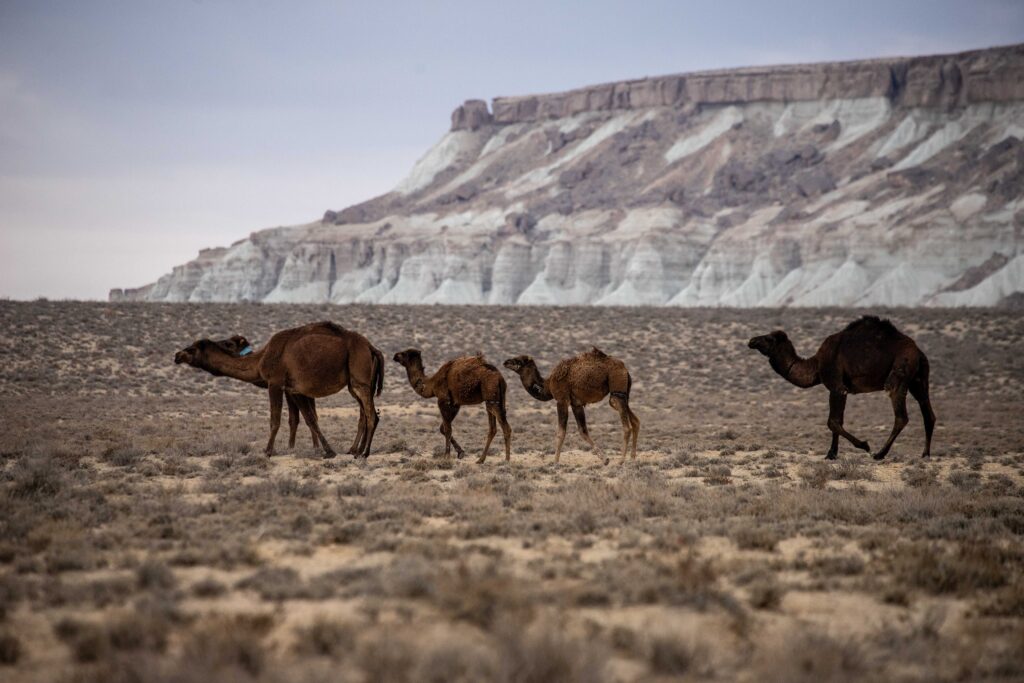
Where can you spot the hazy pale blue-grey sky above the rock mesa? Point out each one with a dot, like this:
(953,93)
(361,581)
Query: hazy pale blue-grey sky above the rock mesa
(135,134)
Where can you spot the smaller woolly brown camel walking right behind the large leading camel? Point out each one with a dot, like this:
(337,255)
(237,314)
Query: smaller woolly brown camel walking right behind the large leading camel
(466,381)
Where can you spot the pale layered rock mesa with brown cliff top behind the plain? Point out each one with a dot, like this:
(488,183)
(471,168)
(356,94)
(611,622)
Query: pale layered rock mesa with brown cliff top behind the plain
(880,183)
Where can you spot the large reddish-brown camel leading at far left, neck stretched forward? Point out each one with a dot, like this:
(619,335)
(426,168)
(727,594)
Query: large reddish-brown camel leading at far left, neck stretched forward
(307,363)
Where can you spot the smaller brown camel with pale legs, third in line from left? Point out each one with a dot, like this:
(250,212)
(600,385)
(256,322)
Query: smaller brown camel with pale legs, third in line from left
(577,382)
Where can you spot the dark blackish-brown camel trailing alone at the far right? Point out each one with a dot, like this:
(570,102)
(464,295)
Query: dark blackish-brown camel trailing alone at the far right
(870,355)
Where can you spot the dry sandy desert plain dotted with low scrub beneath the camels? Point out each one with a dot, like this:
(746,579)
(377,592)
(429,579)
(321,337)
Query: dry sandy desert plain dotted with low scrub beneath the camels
(145,537)
